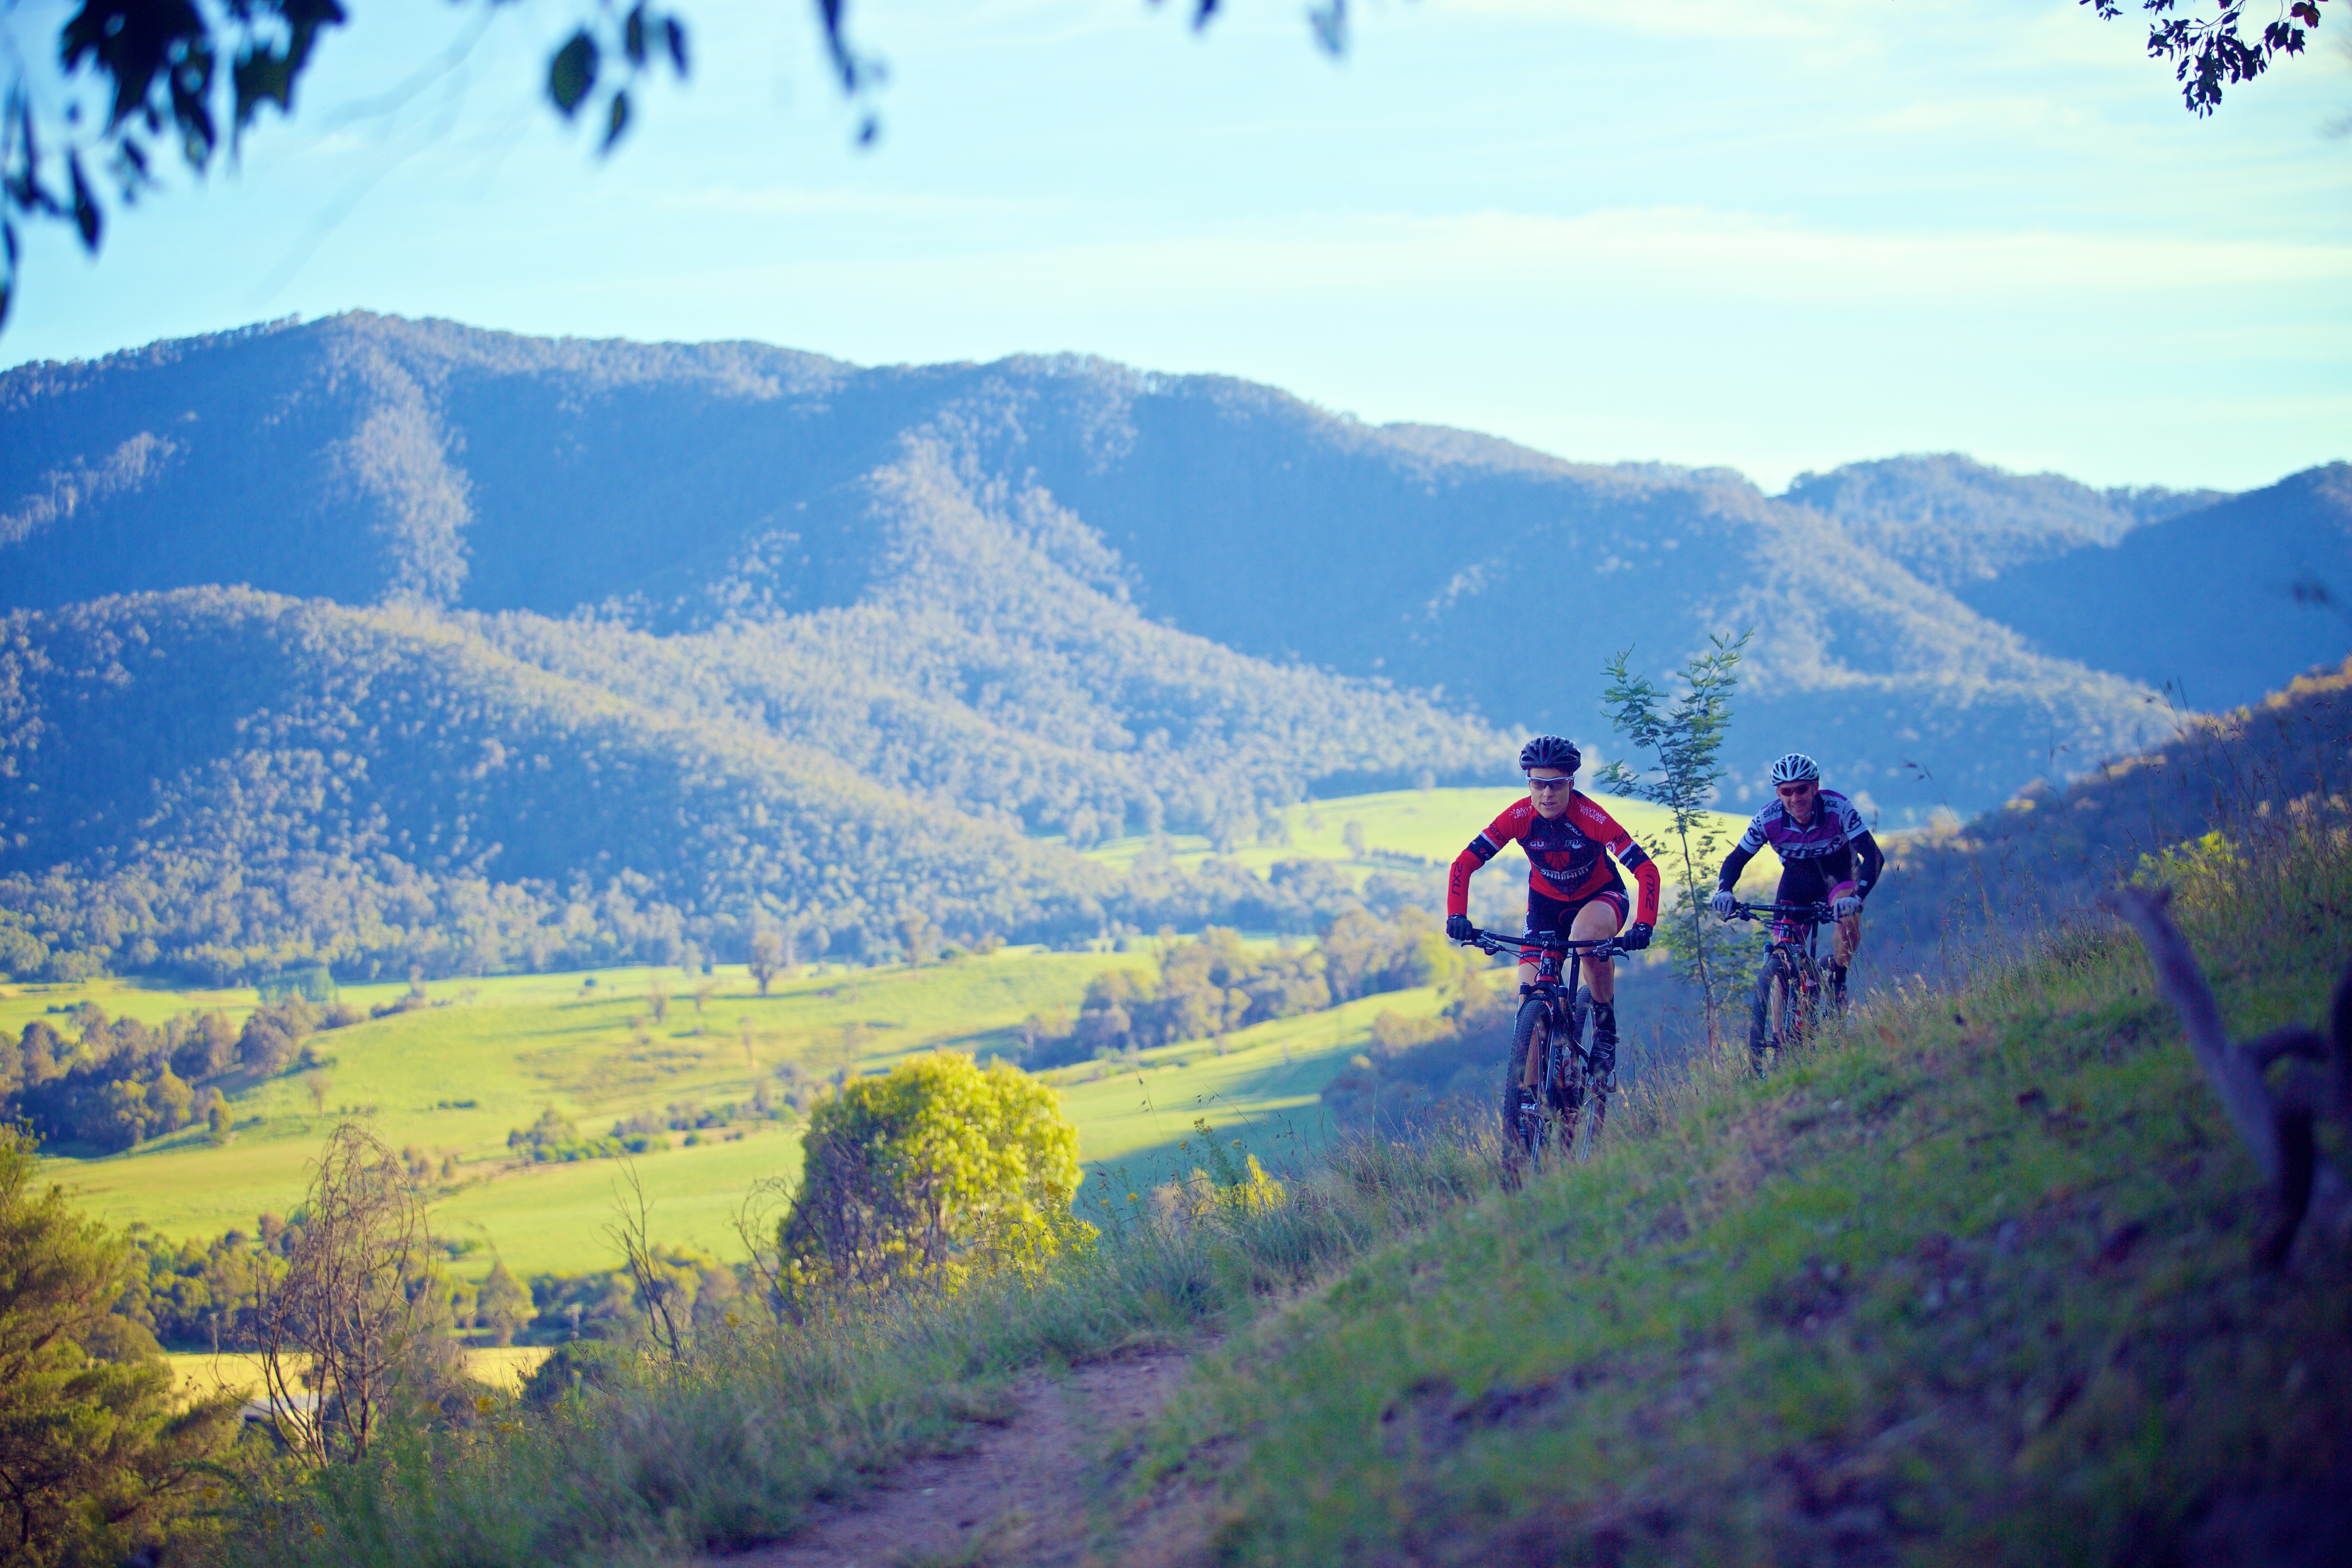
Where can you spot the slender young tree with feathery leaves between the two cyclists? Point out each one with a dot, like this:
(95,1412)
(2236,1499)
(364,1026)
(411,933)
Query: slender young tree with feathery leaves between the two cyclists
(1685,737)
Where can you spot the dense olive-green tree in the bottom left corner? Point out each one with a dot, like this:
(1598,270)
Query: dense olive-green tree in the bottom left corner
(93,1452)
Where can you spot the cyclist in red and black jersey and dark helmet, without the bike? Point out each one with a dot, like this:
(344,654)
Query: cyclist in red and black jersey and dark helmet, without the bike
(1570,883)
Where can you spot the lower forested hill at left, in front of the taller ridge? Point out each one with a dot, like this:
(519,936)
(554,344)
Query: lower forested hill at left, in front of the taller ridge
(218,779)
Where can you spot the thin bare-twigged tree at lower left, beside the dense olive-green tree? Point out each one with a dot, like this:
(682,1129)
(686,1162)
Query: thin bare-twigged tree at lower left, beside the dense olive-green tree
(342,1327)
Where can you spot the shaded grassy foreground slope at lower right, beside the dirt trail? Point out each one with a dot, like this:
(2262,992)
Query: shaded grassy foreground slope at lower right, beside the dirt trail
(1965,1287)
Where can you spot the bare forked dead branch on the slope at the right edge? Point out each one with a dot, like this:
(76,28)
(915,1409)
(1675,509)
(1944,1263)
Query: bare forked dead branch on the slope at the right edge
(2278,1127)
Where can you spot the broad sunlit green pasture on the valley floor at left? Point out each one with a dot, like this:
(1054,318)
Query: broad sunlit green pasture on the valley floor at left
(488,1057)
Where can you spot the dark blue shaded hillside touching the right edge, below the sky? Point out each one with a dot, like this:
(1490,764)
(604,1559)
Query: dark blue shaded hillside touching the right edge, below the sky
(2205,603)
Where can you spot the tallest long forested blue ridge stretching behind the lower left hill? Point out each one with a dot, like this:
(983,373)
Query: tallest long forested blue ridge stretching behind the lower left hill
(730,492)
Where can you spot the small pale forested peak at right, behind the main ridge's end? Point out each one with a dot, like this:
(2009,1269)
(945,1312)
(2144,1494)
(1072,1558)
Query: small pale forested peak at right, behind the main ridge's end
(1956,523)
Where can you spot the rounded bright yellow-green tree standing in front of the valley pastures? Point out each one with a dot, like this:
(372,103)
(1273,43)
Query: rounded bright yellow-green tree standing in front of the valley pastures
(926,1179)
